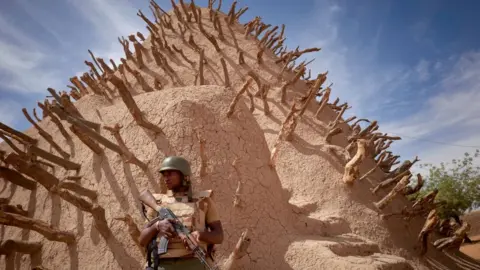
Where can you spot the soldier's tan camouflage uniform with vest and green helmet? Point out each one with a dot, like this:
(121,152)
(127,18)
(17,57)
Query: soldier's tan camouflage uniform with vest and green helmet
(195,214)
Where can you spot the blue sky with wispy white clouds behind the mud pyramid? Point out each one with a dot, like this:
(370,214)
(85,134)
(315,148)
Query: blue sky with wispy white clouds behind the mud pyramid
(412,65)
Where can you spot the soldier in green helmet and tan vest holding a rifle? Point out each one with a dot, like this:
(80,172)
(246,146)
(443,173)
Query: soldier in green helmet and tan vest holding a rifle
(196,210)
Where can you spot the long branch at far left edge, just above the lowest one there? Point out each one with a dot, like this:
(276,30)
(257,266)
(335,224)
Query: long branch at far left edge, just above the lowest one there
(45,229)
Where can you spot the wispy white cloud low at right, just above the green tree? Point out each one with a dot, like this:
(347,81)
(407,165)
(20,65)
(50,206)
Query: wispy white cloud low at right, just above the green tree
(448,123)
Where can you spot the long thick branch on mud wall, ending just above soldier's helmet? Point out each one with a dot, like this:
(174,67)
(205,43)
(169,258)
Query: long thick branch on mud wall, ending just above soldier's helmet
(132,106)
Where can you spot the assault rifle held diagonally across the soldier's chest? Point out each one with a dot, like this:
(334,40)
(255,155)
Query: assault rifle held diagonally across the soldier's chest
(147,198)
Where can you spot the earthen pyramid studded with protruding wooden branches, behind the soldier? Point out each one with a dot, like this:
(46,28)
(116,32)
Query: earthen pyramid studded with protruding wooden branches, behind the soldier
(292,178)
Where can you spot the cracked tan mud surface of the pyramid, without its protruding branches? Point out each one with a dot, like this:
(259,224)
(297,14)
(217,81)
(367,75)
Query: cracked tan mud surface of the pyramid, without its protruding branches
(299,214)
